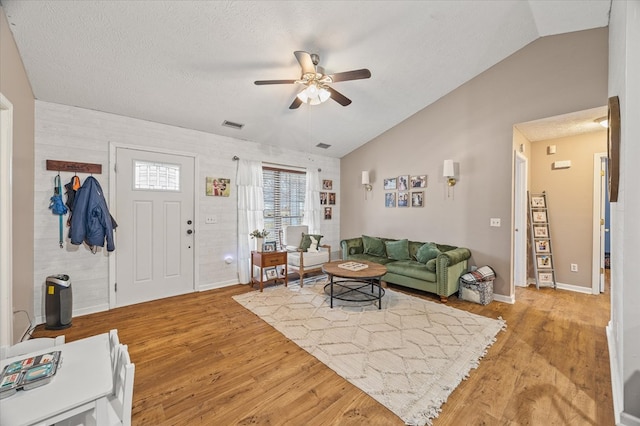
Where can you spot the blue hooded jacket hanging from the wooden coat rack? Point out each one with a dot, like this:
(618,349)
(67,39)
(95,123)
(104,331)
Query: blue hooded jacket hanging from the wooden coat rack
(91,221)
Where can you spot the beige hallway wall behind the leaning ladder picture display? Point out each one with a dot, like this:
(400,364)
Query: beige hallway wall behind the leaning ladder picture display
(570,201)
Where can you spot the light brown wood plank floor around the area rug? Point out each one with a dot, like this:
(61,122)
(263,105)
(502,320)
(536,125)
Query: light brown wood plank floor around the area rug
(202,359)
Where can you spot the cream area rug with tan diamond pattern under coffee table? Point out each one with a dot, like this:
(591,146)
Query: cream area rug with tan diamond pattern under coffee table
(409,356)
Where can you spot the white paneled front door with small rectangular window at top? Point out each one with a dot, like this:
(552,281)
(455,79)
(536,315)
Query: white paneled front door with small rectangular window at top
(155,211)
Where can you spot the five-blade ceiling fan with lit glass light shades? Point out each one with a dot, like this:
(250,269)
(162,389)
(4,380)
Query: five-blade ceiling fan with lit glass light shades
(317,83)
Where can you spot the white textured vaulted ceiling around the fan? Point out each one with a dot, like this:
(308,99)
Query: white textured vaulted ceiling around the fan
(193,63)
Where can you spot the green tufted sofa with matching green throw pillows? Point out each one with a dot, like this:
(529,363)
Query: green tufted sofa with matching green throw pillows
(431,267)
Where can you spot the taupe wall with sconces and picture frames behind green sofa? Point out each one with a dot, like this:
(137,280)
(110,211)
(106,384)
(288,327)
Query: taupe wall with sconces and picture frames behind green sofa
(473,125)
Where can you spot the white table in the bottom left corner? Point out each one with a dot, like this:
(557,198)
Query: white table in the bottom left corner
(81,384)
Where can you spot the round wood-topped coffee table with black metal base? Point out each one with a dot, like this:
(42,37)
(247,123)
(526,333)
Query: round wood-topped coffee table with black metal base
(356,285)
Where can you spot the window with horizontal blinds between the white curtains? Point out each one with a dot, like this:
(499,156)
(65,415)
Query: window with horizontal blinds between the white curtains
(284,192)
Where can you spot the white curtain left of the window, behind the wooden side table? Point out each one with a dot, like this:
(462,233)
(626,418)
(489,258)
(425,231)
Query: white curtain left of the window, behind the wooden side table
(250,213)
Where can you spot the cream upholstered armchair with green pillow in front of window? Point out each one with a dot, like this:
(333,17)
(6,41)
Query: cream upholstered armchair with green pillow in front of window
(301,255)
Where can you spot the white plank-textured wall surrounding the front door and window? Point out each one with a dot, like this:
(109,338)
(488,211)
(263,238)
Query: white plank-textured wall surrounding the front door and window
(76,134)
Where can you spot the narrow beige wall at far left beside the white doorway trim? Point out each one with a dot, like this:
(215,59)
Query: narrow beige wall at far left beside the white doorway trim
(15,86)
